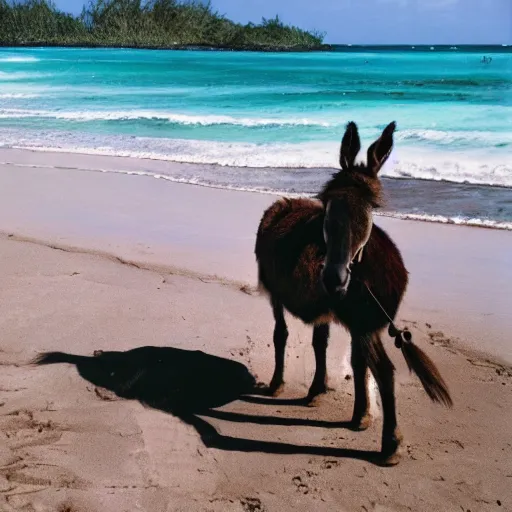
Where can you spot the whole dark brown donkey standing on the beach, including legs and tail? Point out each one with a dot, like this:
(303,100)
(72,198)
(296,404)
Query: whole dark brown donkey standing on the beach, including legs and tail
(305,249)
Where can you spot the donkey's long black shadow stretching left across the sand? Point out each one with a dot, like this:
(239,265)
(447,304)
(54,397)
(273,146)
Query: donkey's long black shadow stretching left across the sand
(191,385)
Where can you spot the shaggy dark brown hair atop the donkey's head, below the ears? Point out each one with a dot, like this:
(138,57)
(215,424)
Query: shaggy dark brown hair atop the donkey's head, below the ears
(367,188)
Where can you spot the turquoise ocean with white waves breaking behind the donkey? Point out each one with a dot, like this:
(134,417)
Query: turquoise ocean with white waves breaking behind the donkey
(272,122)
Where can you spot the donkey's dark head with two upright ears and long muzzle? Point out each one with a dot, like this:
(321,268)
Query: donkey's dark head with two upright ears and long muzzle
(349,199)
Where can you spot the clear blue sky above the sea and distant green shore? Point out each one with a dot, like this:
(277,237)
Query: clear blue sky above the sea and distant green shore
(377,21)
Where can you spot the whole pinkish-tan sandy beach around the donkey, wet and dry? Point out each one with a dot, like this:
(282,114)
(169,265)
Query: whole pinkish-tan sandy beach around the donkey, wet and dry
(108,262)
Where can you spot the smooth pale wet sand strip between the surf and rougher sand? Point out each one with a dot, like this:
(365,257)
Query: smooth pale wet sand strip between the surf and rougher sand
(456,272)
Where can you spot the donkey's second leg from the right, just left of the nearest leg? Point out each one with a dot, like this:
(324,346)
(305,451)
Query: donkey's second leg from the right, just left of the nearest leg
(361,418)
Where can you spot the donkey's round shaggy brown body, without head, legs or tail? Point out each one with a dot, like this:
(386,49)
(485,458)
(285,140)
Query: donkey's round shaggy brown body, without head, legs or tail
(290,250)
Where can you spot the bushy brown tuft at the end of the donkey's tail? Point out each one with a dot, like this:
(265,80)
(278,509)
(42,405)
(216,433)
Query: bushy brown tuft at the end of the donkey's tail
(419,363)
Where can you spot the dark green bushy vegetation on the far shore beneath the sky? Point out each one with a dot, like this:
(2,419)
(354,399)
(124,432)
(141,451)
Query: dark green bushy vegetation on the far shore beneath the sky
(138,23)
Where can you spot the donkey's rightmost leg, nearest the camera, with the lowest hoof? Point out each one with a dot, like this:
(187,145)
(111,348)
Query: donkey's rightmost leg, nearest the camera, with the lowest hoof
(383,371)
